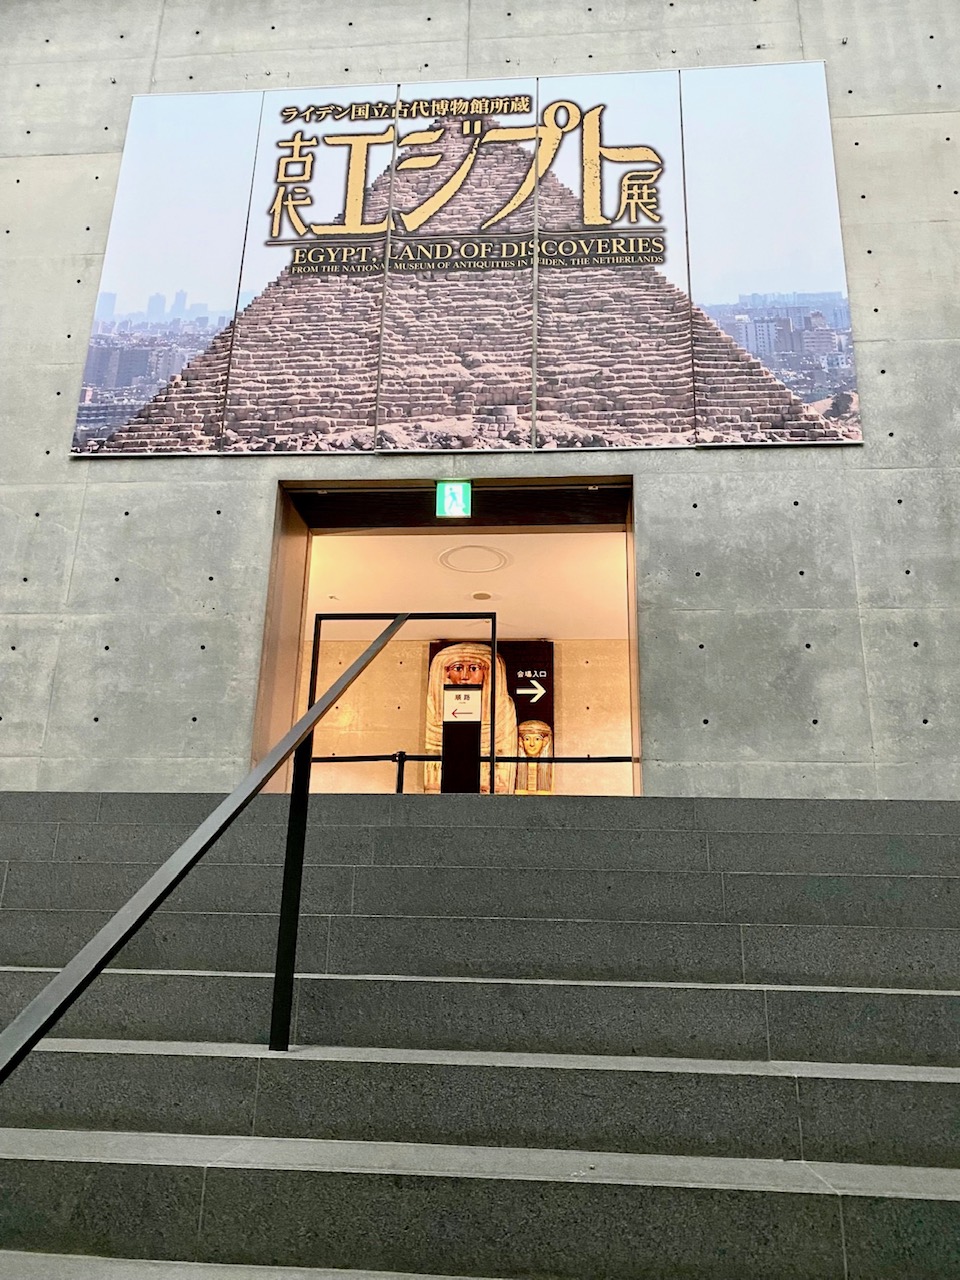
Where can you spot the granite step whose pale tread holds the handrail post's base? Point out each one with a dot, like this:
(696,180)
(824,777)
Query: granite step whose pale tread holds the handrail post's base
(868,1114)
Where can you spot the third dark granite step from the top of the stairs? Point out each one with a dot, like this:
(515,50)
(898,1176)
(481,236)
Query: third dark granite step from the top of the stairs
(501,893)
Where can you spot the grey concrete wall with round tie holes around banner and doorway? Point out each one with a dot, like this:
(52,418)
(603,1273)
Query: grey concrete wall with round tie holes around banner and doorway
(132,592)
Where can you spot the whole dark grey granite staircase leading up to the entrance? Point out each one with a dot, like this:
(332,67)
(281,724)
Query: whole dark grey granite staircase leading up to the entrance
(554,1037)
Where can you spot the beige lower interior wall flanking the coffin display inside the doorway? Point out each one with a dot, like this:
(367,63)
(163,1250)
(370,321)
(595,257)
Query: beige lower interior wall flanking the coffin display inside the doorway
(383,712)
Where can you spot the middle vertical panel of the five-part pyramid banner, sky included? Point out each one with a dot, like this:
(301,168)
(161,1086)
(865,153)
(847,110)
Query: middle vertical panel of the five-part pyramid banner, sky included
(458,367)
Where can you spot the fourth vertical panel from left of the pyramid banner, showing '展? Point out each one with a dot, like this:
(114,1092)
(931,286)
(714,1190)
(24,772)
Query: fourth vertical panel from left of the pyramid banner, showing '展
(614,353)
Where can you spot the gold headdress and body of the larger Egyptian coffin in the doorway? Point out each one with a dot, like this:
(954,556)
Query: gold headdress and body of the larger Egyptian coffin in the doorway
(478,655)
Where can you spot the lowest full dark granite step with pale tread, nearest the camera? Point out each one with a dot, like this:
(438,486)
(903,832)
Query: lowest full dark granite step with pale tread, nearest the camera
(472,1210)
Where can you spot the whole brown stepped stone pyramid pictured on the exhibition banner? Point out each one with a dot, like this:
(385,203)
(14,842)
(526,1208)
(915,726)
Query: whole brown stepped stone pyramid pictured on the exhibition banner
(444,359)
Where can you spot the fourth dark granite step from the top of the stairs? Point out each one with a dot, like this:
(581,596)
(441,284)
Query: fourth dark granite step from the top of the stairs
(600,950)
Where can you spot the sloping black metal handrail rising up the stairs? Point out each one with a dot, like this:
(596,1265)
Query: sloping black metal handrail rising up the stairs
(45,1011)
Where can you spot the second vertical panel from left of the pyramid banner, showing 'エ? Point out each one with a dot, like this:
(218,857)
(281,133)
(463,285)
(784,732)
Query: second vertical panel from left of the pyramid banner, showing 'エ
(307,350)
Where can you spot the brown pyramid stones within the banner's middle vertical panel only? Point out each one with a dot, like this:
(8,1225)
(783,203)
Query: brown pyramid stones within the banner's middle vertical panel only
(459,345)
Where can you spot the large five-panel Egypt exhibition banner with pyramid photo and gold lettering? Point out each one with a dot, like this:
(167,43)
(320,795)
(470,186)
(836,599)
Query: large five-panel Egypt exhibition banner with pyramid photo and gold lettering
(598,262)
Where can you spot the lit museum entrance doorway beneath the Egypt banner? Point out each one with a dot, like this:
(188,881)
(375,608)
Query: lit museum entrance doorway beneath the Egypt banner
(554,560)
